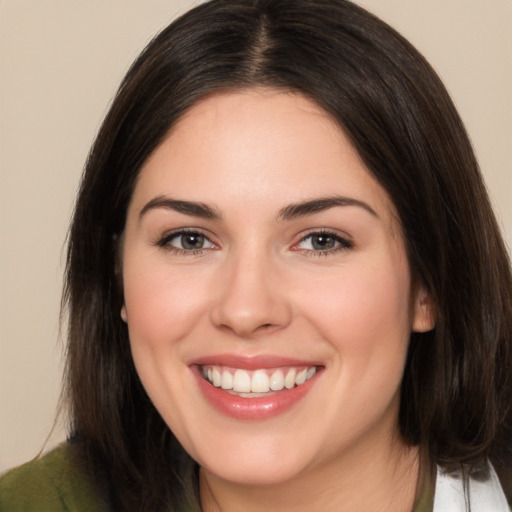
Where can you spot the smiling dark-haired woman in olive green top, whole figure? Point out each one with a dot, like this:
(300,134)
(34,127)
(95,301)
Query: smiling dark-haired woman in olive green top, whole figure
(286,286)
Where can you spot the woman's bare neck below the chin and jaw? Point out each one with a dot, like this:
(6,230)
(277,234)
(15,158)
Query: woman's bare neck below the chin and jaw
(382,481)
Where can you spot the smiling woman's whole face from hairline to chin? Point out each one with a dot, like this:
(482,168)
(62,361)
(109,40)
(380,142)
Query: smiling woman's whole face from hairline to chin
(267,290)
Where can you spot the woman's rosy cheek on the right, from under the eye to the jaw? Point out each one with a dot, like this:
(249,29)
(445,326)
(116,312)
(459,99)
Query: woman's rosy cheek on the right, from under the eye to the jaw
(366,322)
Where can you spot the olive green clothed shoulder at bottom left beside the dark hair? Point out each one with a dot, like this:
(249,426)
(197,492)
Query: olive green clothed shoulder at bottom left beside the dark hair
(52,483)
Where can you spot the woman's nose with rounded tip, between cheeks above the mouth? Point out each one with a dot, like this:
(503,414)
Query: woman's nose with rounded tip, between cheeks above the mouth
(252,297)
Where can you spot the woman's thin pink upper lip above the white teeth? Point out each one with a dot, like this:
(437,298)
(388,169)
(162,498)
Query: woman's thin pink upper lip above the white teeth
(255,362)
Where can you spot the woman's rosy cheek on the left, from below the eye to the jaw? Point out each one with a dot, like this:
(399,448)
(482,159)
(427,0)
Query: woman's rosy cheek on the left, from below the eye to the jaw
(161,312)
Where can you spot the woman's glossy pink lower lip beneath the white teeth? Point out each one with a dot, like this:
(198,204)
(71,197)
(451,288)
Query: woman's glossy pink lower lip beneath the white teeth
(253,409)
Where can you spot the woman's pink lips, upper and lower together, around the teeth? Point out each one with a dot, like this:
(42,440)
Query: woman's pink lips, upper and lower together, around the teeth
(252,409)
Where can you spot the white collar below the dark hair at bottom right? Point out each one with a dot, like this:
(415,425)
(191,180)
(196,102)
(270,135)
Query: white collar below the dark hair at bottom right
(485,496)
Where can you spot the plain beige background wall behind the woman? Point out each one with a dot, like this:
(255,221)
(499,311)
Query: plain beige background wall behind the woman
(60,63)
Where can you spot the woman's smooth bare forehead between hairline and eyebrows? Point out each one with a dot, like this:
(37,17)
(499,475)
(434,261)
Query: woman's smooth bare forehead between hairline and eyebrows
(261,146)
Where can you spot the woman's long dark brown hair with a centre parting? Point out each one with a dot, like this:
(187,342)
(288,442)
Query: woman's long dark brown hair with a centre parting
(457,388)
